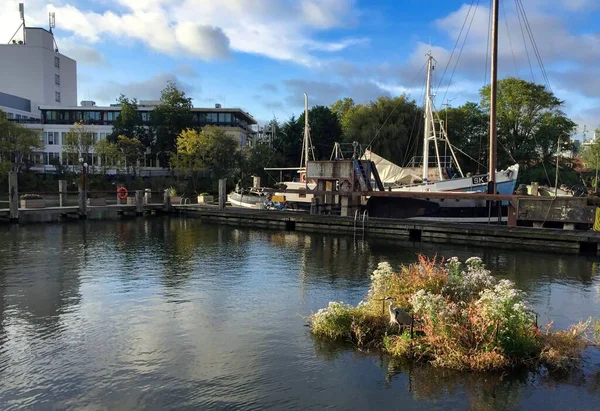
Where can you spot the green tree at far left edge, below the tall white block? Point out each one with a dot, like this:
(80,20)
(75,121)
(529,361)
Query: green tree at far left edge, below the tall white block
(17,144)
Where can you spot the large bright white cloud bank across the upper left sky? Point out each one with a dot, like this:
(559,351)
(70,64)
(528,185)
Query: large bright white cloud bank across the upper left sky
(205,29)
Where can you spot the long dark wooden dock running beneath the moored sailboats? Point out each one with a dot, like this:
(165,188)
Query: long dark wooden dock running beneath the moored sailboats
(541,239)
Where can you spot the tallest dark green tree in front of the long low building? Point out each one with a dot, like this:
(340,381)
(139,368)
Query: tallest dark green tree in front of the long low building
(170,118)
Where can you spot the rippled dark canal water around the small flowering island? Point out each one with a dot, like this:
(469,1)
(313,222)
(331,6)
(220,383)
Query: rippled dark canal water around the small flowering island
(176,314)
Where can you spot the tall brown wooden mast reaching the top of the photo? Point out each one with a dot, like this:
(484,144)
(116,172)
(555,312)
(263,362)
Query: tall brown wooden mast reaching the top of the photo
(493,92)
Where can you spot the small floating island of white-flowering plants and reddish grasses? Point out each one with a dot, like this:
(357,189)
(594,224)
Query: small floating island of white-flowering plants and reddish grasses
(464,319)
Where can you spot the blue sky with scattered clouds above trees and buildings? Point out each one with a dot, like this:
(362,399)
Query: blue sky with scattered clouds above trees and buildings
(261,55)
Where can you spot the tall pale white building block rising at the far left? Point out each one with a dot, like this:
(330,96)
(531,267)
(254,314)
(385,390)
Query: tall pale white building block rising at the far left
(35,73)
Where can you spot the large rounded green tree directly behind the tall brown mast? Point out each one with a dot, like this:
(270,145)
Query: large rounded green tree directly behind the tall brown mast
(530,122)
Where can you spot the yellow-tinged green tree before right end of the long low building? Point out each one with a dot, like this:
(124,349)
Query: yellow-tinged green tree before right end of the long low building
(210,150)
